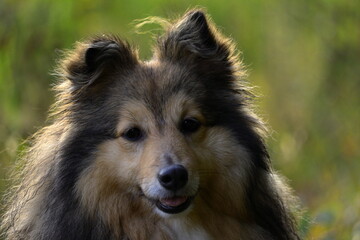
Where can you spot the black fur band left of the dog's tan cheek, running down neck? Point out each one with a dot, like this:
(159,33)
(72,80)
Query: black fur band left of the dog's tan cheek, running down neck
(62,216)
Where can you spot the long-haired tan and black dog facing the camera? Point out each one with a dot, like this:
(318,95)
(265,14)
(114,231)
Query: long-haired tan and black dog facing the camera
(168,148)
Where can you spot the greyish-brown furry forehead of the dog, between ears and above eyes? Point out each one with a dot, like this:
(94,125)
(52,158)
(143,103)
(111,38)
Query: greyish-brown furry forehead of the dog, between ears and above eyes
(161,88)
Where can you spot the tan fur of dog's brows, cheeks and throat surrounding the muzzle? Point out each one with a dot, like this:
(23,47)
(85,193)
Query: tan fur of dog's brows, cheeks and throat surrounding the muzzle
(110,187)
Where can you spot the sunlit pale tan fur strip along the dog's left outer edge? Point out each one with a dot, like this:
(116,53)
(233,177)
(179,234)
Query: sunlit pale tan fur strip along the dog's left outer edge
(29,195)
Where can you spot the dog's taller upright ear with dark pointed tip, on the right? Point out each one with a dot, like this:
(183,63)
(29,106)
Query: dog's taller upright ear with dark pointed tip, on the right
(195,40)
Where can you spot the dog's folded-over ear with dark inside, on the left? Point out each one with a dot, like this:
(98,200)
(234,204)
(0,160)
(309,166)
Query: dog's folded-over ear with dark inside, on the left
(92,60)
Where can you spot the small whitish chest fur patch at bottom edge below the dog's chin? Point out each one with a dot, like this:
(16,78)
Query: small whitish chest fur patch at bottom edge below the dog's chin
(181,230)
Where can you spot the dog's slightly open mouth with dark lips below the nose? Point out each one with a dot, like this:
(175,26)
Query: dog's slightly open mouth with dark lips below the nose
(173,205)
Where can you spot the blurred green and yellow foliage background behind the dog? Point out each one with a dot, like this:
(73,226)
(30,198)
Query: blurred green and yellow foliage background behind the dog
(304,56)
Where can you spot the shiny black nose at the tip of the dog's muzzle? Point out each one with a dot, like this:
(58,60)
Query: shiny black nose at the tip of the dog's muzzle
(173,177)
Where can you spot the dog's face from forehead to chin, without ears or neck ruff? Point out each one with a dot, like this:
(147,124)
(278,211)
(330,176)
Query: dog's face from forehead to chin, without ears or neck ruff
(168,147)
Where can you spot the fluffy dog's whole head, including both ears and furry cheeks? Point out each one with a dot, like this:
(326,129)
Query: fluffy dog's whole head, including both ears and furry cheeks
(172,133)
